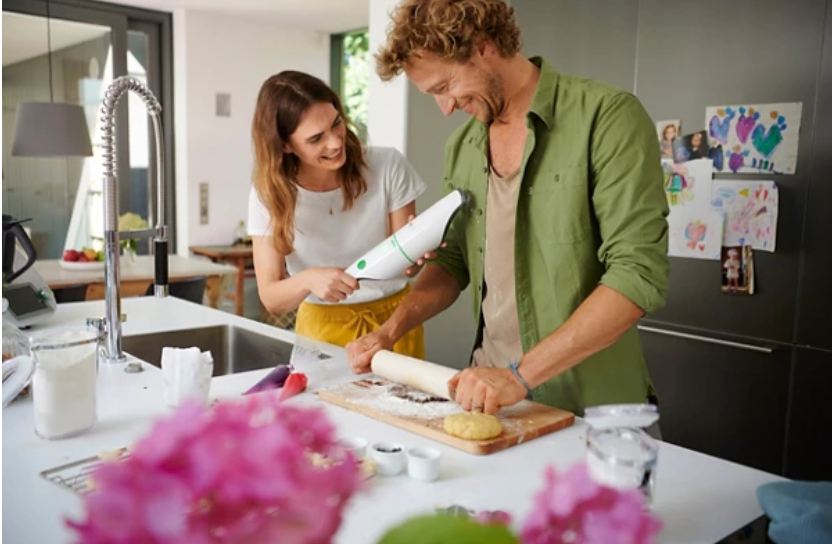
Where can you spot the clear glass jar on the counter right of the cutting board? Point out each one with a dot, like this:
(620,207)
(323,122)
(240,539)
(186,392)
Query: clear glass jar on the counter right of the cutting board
(620,454)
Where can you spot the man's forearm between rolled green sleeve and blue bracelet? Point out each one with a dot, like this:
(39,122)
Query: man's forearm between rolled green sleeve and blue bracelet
(597,323)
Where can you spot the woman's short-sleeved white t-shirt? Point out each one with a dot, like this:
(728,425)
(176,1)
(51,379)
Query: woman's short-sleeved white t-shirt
(324,240)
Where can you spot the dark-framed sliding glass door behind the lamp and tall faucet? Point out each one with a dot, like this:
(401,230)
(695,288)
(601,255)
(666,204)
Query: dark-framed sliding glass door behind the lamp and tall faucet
(83,46)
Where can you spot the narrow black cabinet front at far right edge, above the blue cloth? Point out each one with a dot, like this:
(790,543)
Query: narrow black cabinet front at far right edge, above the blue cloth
(810,426)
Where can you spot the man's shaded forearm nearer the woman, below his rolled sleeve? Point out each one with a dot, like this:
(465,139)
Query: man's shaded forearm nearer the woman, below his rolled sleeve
(434,291)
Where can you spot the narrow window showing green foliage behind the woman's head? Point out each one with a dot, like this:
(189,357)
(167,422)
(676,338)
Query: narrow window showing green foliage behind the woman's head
(350,75)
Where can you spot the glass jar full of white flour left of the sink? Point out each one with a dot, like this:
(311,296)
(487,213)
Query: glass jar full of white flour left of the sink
(64,383)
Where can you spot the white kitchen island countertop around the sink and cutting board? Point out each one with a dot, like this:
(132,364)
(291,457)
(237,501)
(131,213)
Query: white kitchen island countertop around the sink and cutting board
(700,499)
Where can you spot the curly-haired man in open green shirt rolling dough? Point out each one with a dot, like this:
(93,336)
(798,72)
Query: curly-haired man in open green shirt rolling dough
(564,239)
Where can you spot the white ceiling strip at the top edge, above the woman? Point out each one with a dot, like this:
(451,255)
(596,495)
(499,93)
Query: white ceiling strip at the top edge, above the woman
(325,15)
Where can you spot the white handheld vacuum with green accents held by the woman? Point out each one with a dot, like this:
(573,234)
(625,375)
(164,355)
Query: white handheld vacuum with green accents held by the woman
(403,248)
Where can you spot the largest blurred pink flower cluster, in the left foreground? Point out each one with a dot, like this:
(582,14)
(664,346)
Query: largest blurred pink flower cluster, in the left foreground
(239,472)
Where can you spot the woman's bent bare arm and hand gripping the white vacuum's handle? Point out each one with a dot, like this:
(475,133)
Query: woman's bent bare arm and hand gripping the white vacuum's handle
(281,294)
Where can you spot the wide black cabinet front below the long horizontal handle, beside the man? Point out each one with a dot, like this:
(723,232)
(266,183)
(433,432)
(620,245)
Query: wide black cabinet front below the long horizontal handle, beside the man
(723,401)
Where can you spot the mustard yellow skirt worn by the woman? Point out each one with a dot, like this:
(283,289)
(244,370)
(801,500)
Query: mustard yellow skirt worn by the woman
(340,324)
